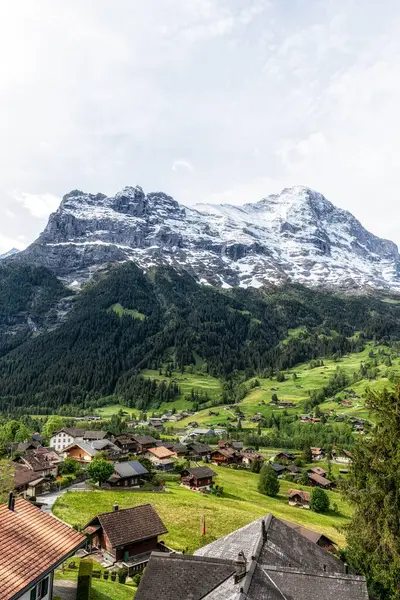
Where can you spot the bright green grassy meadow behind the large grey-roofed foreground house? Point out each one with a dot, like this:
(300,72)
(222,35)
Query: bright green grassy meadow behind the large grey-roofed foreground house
(182,509)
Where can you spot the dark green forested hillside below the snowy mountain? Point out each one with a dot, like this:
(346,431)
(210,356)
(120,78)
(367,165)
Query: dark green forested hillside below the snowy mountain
(125,321)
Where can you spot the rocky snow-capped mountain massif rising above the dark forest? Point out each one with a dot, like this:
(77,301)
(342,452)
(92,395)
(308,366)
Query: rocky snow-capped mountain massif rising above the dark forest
(297,235)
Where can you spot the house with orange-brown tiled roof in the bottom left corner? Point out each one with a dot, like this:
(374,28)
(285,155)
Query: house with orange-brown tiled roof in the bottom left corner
(33,544)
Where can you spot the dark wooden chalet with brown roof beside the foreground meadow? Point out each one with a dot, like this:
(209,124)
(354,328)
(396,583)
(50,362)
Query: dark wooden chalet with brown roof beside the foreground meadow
(127,536)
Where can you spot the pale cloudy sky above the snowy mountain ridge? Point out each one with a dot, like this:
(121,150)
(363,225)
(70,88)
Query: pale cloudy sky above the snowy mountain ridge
(207,100)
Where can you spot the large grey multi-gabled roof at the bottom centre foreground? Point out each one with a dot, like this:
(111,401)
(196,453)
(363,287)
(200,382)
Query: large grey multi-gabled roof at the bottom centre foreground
(266,559)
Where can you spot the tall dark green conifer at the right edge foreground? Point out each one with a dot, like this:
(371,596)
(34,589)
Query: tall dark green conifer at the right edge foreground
(373,489)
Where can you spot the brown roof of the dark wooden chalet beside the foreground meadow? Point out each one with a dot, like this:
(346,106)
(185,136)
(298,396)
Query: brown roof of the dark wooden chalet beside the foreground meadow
(130,525)
